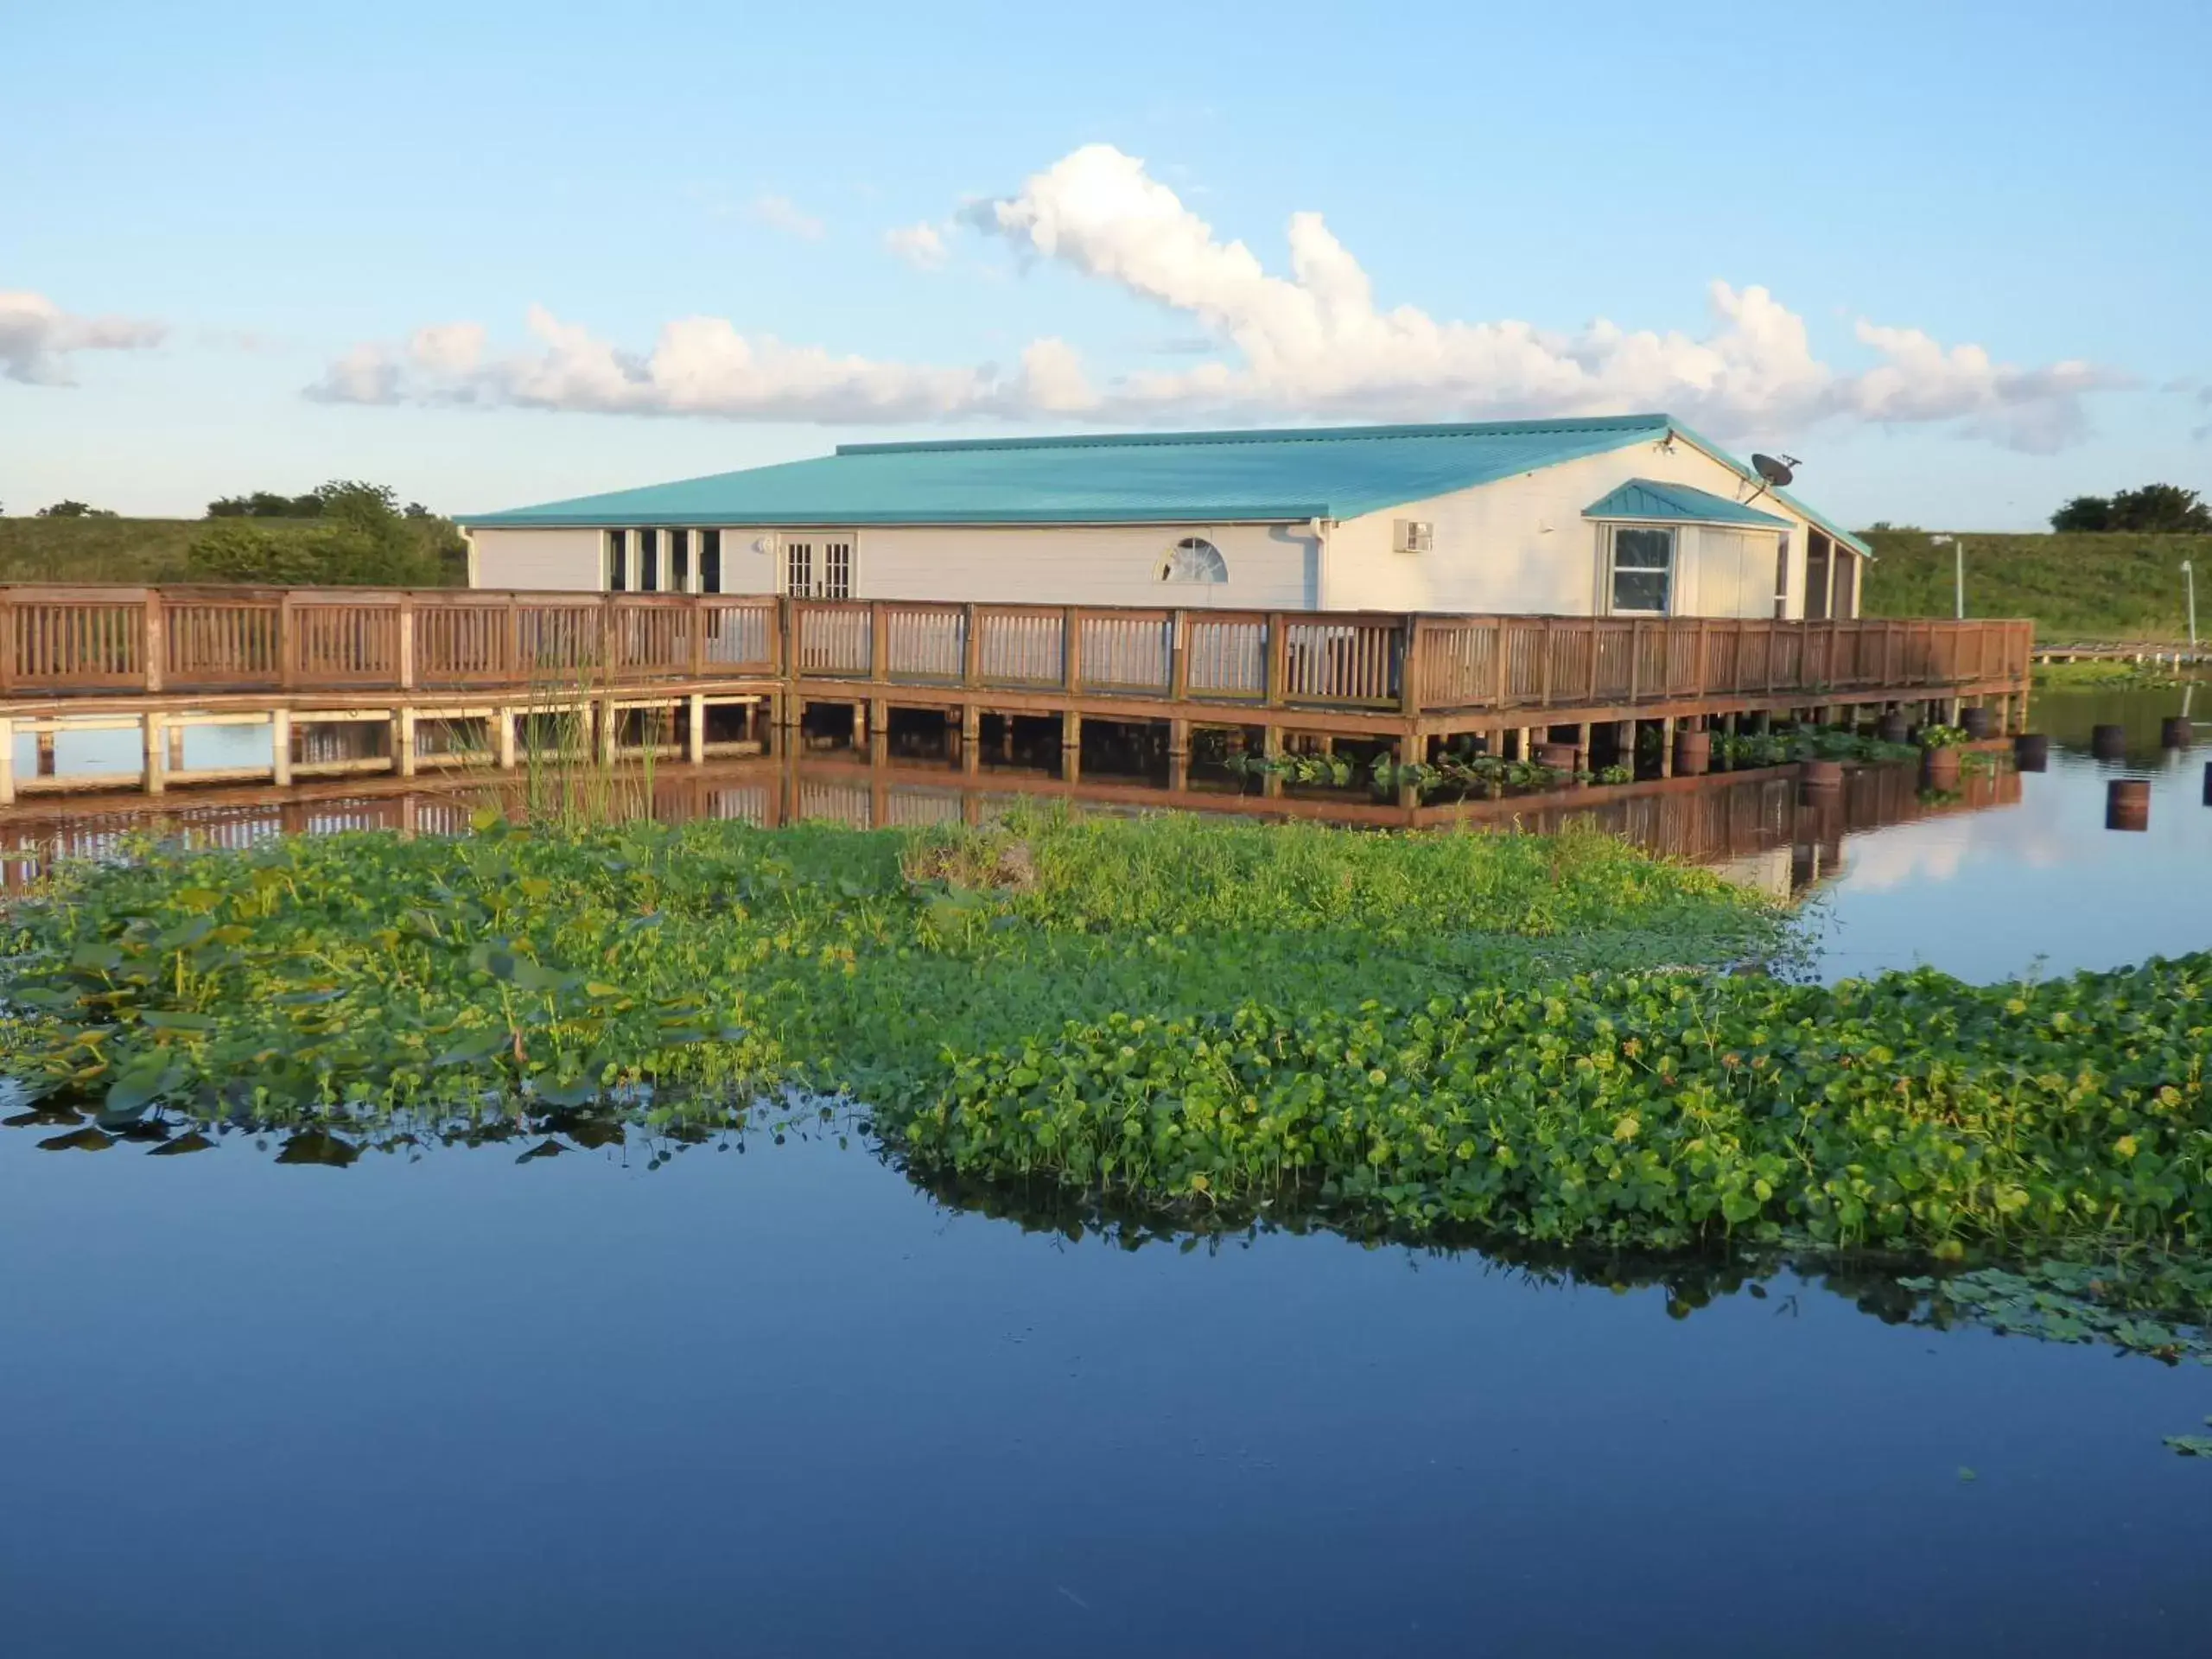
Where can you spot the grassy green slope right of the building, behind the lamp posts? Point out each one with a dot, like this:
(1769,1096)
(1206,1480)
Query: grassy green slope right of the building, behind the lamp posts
(2076,587)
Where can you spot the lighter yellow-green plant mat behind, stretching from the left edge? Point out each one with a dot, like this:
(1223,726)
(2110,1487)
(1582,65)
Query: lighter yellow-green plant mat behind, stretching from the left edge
(561,963)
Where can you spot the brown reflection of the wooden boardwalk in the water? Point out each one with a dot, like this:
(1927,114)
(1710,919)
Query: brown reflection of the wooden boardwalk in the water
(1760,828)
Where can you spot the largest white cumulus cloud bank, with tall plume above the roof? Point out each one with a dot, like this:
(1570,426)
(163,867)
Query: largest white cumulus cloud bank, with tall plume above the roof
(1308,342)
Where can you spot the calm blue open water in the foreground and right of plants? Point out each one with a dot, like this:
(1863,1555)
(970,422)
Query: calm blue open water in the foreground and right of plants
(784,1404)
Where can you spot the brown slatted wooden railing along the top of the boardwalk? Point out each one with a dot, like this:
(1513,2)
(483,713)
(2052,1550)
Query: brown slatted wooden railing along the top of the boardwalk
(317,640)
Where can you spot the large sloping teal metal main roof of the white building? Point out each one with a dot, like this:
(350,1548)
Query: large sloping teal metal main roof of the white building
(1136,479)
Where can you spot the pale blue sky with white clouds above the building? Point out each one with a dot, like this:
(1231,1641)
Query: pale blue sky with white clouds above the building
(260,247)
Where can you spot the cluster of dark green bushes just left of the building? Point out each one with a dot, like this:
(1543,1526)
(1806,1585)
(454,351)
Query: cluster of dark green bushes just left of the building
(362,536)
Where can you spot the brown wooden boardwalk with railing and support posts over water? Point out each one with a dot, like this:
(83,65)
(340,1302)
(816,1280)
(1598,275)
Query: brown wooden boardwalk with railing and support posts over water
(700,676)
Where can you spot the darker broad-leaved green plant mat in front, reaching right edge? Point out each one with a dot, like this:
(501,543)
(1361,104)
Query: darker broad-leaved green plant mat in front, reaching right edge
(1908,1112)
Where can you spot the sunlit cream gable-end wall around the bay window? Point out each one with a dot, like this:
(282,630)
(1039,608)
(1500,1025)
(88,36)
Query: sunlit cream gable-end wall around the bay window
(1523,545)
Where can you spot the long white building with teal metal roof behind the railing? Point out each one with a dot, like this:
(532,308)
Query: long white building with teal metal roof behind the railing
(1574,517)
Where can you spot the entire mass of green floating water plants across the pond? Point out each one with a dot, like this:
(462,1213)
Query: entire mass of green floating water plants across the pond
(1204,1019)
